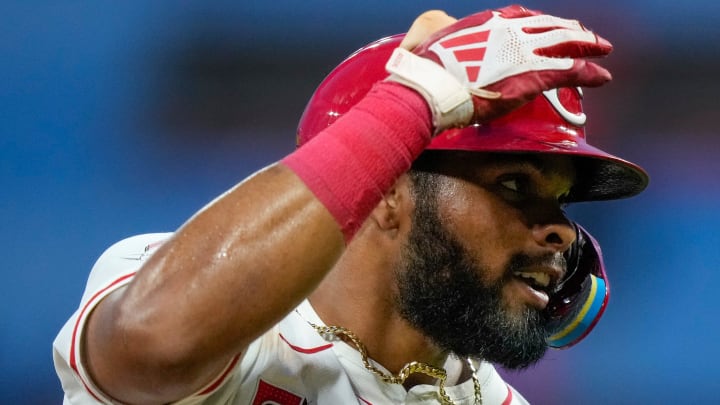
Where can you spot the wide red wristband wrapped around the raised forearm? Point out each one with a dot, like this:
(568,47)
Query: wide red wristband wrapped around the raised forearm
(352,163)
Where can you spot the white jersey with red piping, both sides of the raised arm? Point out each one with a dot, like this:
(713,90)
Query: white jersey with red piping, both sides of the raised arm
(291,364)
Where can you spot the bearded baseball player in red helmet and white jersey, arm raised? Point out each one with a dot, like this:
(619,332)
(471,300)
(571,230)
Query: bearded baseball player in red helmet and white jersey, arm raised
(415,237)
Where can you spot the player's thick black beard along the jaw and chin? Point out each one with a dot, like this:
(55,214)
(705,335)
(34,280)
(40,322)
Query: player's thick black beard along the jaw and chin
(441,292)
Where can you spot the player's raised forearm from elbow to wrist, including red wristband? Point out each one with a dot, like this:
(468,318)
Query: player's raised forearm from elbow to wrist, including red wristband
(248,258)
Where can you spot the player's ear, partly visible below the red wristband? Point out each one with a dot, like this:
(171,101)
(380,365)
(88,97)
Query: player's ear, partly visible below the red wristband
(394,207)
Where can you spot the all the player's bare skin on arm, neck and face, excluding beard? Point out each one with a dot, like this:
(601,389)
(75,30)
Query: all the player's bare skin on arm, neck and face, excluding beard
(243,262)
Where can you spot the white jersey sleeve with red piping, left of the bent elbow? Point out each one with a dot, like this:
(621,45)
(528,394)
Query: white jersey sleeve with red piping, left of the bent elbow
(115,268)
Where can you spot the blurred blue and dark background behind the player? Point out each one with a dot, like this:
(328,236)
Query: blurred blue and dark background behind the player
(119,118)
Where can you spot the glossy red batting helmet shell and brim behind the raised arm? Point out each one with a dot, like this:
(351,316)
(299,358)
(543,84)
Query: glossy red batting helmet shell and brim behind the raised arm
(552,123)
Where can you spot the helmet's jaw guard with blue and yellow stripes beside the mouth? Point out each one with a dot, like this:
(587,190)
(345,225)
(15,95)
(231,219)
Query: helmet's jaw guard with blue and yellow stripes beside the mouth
(582,295)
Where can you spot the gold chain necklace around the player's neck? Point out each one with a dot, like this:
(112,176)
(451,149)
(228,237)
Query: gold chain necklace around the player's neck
(410,368)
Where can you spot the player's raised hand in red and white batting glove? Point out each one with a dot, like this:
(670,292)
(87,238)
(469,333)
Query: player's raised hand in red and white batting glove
(504,58)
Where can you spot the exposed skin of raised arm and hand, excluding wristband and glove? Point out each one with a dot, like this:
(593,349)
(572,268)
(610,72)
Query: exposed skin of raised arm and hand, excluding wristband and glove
(226,276)
